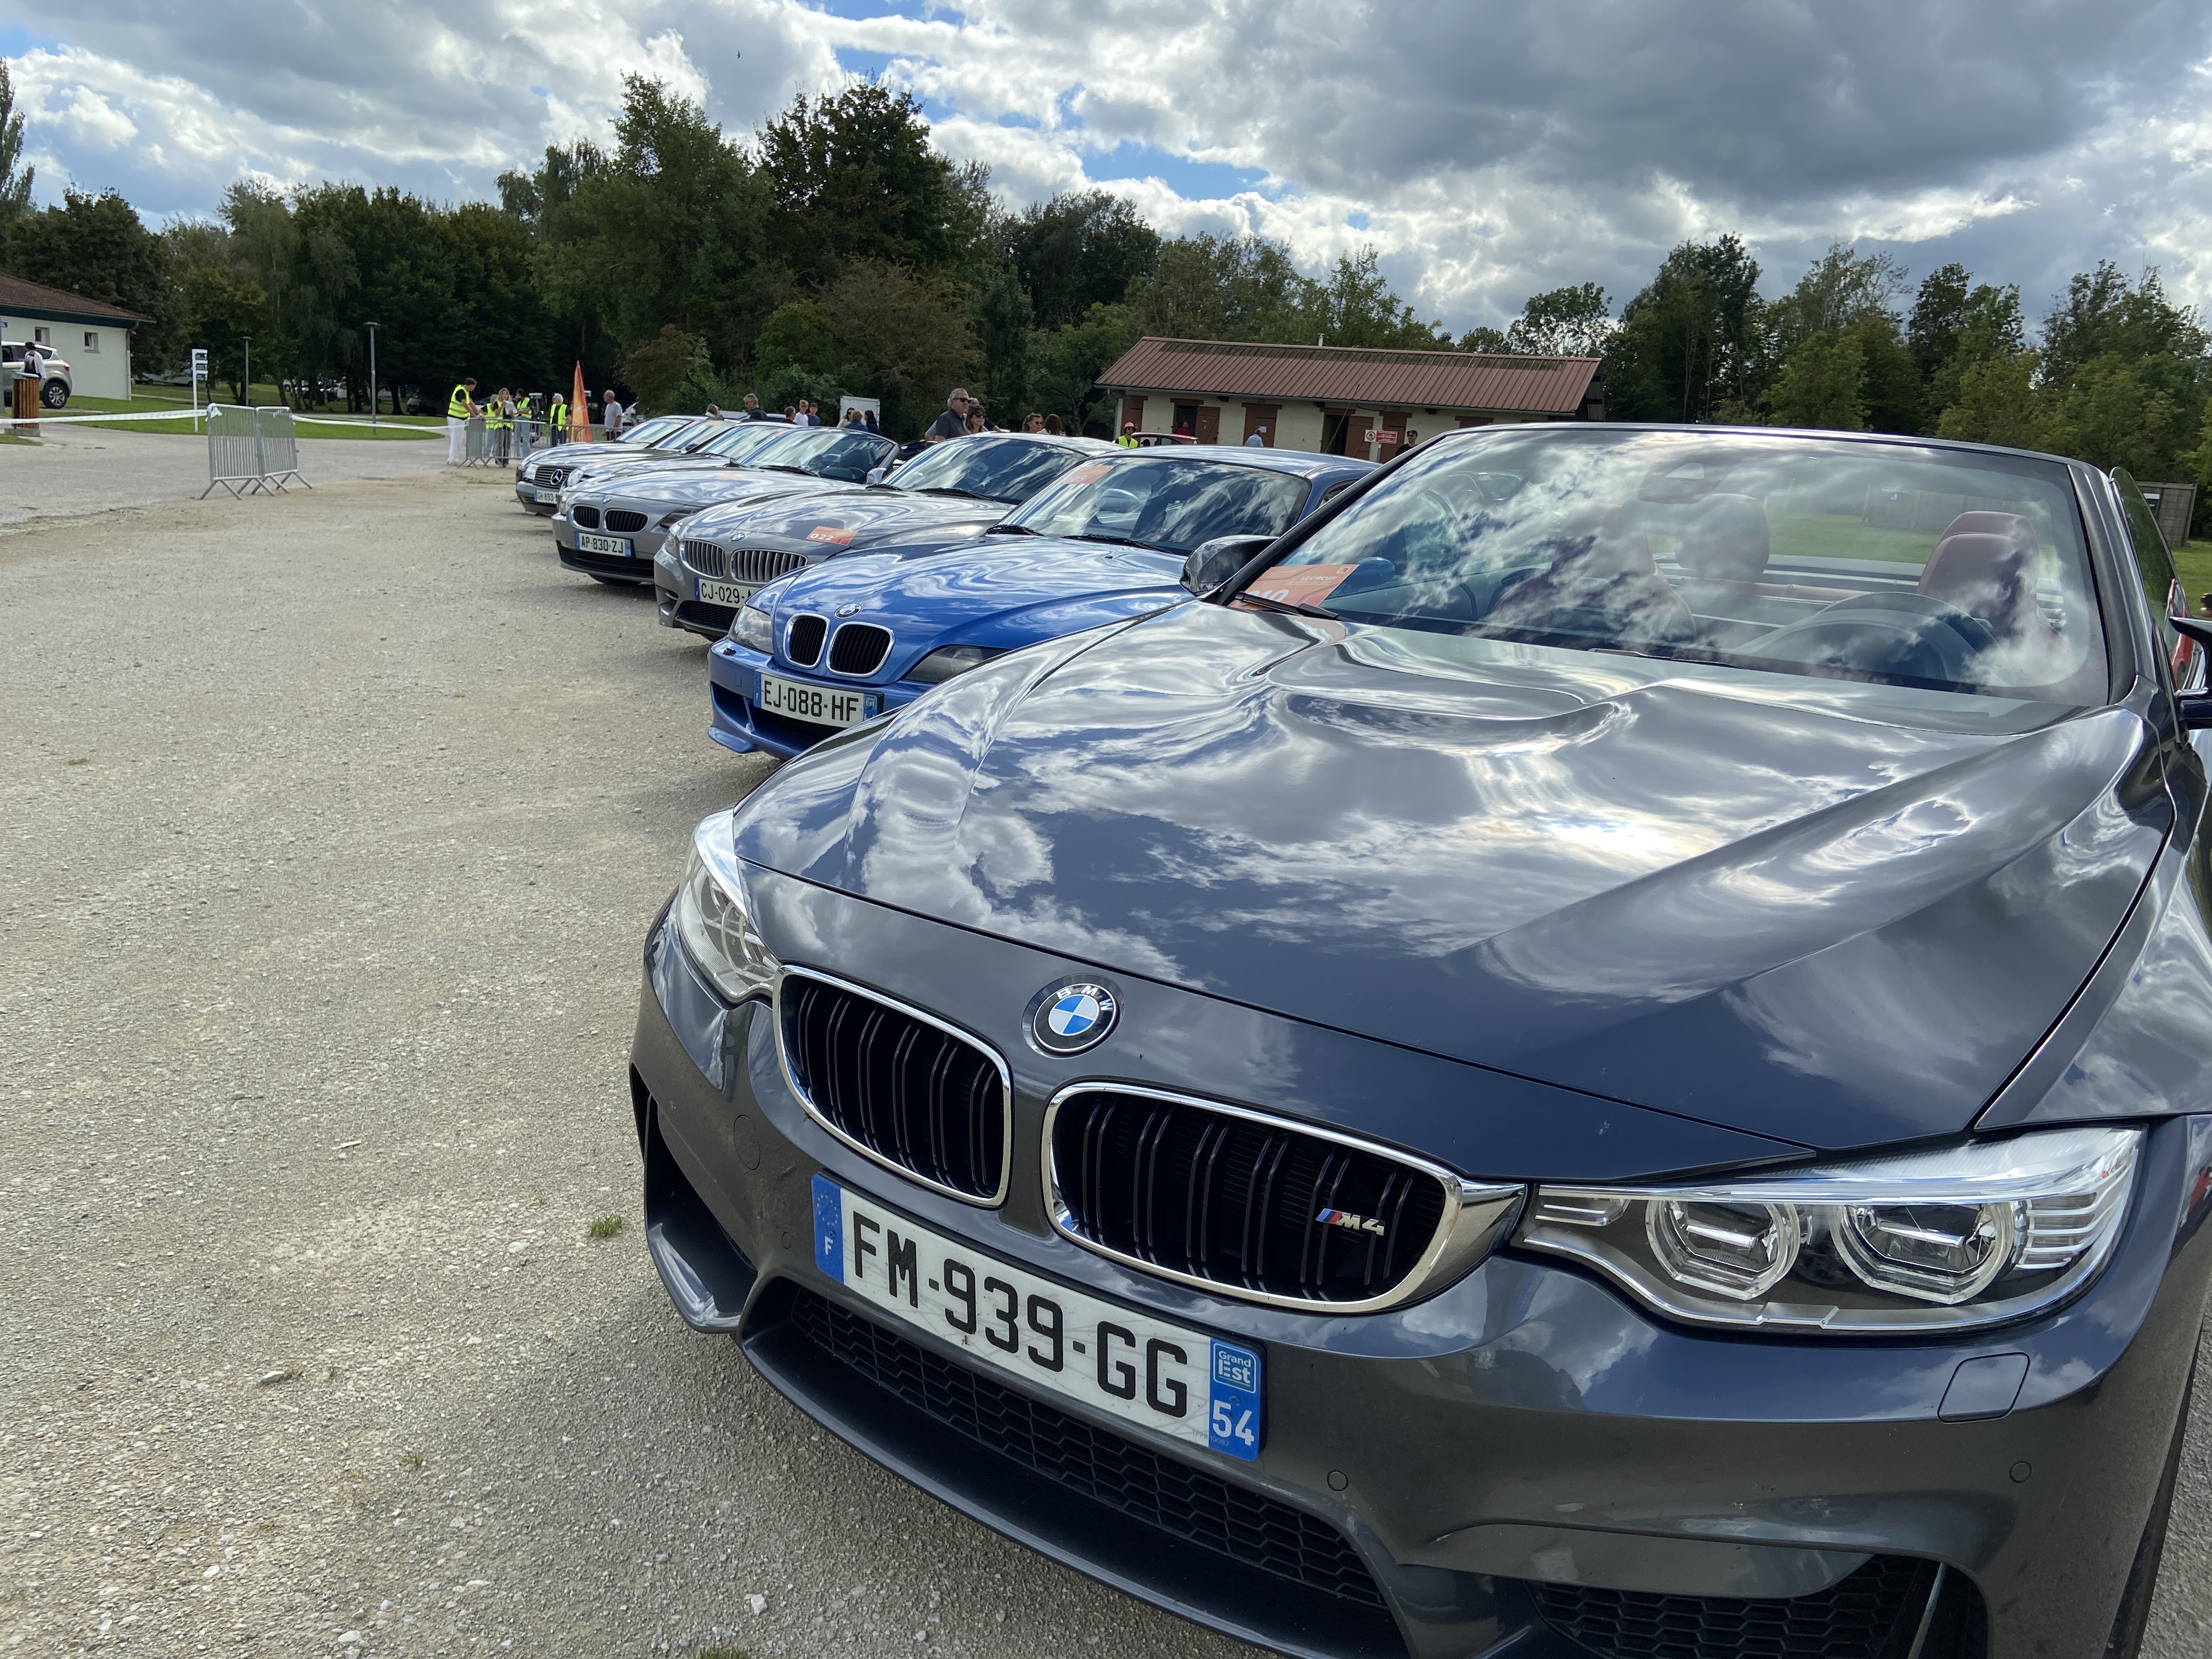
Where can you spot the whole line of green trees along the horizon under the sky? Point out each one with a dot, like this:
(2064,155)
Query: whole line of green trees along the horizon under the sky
(835,251)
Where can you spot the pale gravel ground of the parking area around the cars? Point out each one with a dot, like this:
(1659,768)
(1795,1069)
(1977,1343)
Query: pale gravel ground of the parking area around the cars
(337,822)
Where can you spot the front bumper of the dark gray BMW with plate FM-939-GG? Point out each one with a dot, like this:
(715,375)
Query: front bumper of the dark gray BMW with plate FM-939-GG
(1521,1432)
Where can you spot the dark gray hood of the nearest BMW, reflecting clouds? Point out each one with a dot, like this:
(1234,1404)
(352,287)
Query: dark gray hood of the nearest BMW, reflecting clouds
(1824,912)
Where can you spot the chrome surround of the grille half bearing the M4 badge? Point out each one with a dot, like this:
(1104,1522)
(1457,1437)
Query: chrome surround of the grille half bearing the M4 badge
(1477,1215)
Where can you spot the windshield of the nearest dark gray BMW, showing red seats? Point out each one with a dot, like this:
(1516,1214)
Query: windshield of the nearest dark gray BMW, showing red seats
(1861,561)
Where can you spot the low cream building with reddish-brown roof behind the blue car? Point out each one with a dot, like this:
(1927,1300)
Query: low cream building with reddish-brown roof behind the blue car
(1339,399)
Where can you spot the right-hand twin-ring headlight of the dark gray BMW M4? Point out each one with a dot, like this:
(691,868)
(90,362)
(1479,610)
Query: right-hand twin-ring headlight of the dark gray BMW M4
(1901,1244)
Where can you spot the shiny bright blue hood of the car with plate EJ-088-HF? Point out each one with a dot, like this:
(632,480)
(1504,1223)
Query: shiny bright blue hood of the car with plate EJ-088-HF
(1010,592)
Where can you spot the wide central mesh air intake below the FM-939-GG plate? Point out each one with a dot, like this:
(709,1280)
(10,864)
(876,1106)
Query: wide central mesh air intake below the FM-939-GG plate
(1105,1468)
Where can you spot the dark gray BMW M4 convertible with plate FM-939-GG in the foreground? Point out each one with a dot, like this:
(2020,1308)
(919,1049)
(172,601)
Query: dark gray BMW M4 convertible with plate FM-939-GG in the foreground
(1598,1052)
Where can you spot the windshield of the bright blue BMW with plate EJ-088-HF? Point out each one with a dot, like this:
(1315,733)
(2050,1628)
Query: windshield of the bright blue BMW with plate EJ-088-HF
(1167,501)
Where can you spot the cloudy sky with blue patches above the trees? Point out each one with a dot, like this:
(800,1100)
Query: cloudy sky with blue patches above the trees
(1490,149)
